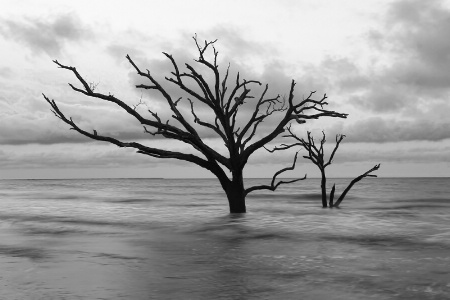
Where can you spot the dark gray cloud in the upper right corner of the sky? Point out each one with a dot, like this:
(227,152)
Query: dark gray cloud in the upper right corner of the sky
(420,29)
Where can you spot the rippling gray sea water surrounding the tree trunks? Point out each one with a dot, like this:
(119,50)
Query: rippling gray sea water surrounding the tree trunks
(174,239)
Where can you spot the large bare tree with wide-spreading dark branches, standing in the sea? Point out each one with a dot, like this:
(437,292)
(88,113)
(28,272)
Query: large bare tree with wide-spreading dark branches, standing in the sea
(224,100)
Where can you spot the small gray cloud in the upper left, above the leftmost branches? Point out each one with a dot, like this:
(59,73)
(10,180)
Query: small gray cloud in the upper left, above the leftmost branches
(46,36)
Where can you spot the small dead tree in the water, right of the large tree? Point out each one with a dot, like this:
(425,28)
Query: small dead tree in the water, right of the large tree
(317,156)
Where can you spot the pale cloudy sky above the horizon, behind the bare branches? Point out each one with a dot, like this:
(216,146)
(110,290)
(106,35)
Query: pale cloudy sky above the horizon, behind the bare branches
(385,63)
